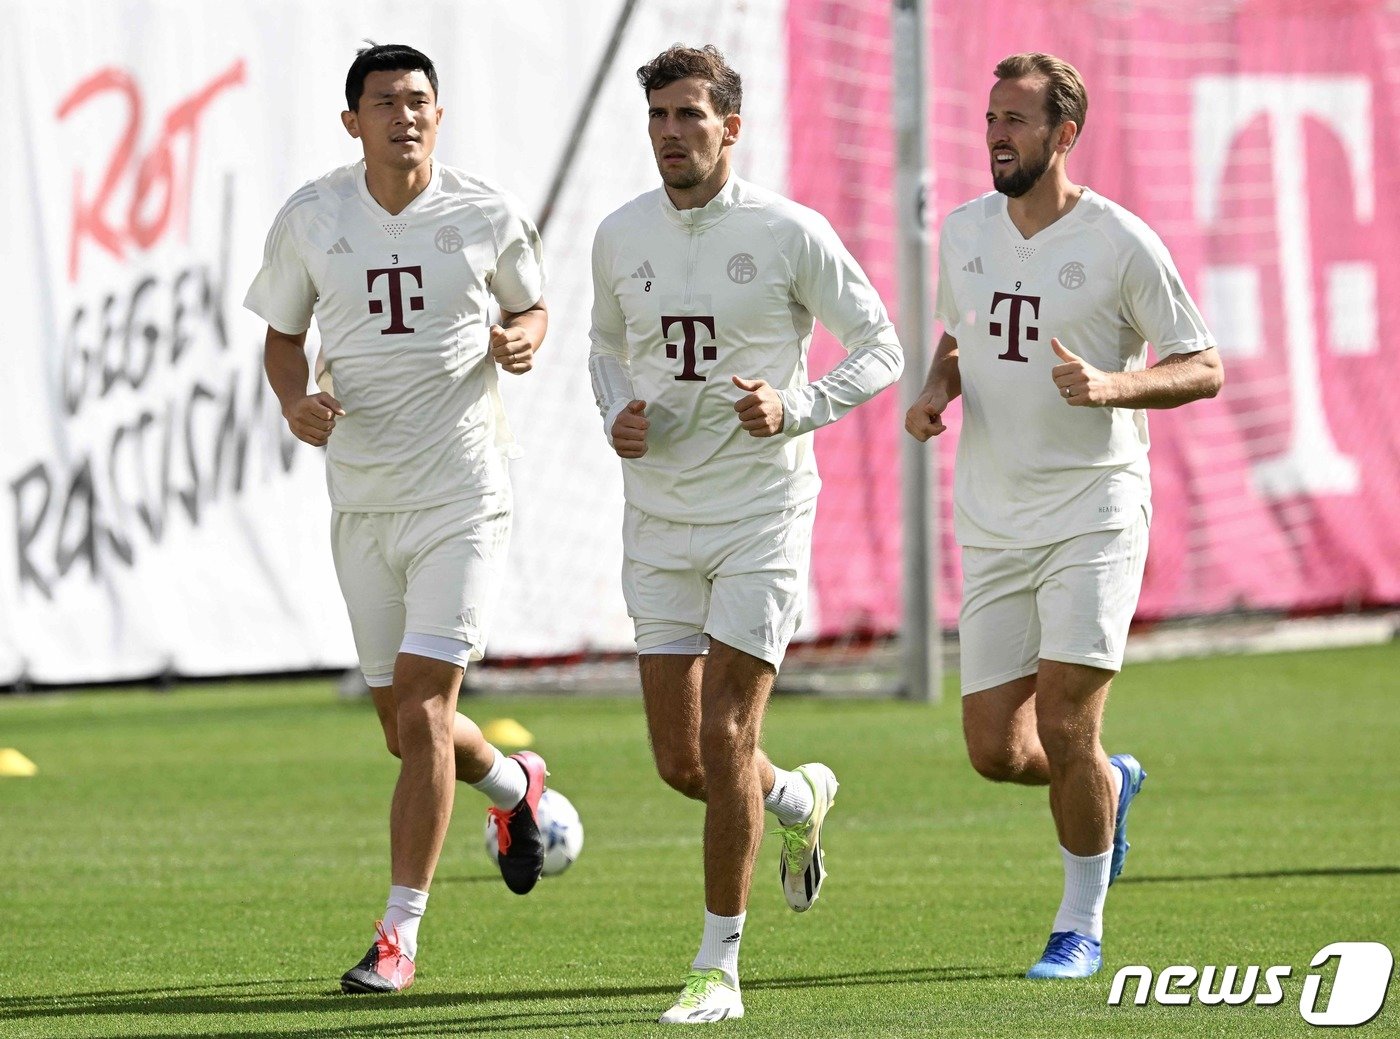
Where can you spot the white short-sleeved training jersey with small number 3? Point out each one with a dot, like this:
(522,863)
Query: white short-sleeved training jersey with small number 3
(402,305)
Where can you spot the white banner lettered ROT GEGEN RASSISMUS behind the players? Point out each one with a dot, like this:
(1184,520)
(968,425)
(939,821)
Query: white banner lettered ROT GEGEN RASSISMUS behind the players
(157,515)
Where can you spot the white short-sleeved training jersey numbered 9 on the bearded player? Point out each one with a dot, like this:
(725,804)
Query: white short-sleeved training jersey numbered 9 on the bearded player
(1032,470)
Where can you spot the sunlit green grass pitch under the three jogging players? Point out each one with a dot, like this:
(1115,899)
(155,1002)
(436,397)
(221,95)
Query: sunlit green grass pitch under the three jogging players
(209,862)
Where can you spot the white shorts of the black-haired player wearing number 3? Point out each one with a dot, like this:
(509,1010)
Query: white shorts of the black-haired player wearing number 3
(429,572)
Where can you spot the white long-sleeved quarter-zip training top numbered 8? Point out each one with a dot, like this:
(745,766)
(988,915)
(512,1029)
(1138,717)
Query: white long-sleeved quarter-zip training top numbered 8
(684,300)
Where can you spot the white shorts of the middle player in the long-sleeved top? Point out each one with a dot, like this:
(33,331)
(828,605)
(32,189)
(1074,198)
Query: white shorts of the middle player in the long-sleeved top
(743,583)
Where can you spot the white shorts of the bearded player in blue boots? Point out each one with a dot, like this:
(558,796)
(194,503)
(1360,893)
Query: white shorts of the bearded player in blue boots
(1072,601)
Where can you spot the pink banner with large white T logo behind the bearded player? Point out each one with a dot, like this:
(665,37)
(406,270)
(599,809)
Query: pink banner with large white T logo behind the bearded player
(1261,141)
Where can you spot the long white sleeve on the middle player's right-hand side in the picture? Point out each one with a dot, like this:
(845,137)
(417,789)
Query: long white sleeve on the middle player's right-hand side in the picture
(829,282)
